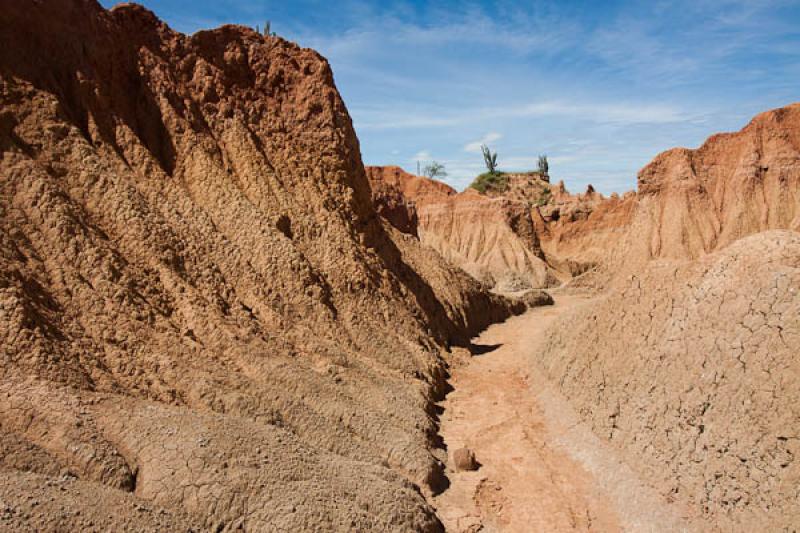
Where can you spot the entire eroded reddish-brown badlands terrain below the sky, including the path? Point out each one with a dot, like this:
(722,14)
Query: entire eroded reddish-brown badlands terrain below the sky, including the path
(215,318)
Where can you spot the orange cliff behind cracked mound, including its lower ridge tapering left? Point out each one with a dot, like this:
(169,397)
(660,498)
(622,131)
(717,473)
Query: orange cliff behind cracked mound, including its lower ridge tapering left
(693,202)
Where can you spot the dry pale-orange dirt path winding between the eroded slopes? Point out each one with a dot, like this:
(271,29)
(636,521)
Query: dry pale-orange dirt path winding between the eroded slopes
(541,469)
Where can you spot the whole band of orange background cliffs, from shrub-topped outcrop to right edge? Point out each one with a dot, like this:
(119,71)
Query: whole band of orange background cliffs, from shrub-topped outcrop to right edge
(688,203)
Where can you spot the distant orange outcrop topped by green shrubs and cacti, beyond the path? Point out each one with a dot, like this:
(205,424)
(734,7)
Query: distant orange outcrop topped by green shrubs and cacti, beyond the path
(529,234)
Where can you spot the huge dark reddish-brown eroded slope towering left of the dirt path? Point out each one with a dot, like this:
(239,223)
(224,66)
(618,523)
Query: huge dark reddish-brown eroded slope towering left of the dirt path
(198,303)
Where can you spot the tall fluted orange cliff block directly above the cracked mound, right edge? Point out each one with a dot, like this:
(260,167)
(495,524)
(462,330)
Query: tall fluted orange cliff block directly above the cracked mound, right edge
(695,201)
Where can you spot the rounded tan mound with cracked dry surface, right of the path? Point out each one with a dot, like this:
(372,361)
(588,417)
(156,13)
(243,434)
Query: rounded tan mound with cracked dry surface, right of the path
(691,368)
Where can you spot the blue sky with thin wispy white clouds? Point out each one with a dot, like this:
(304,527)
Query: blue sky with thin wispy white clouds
(600,87)
